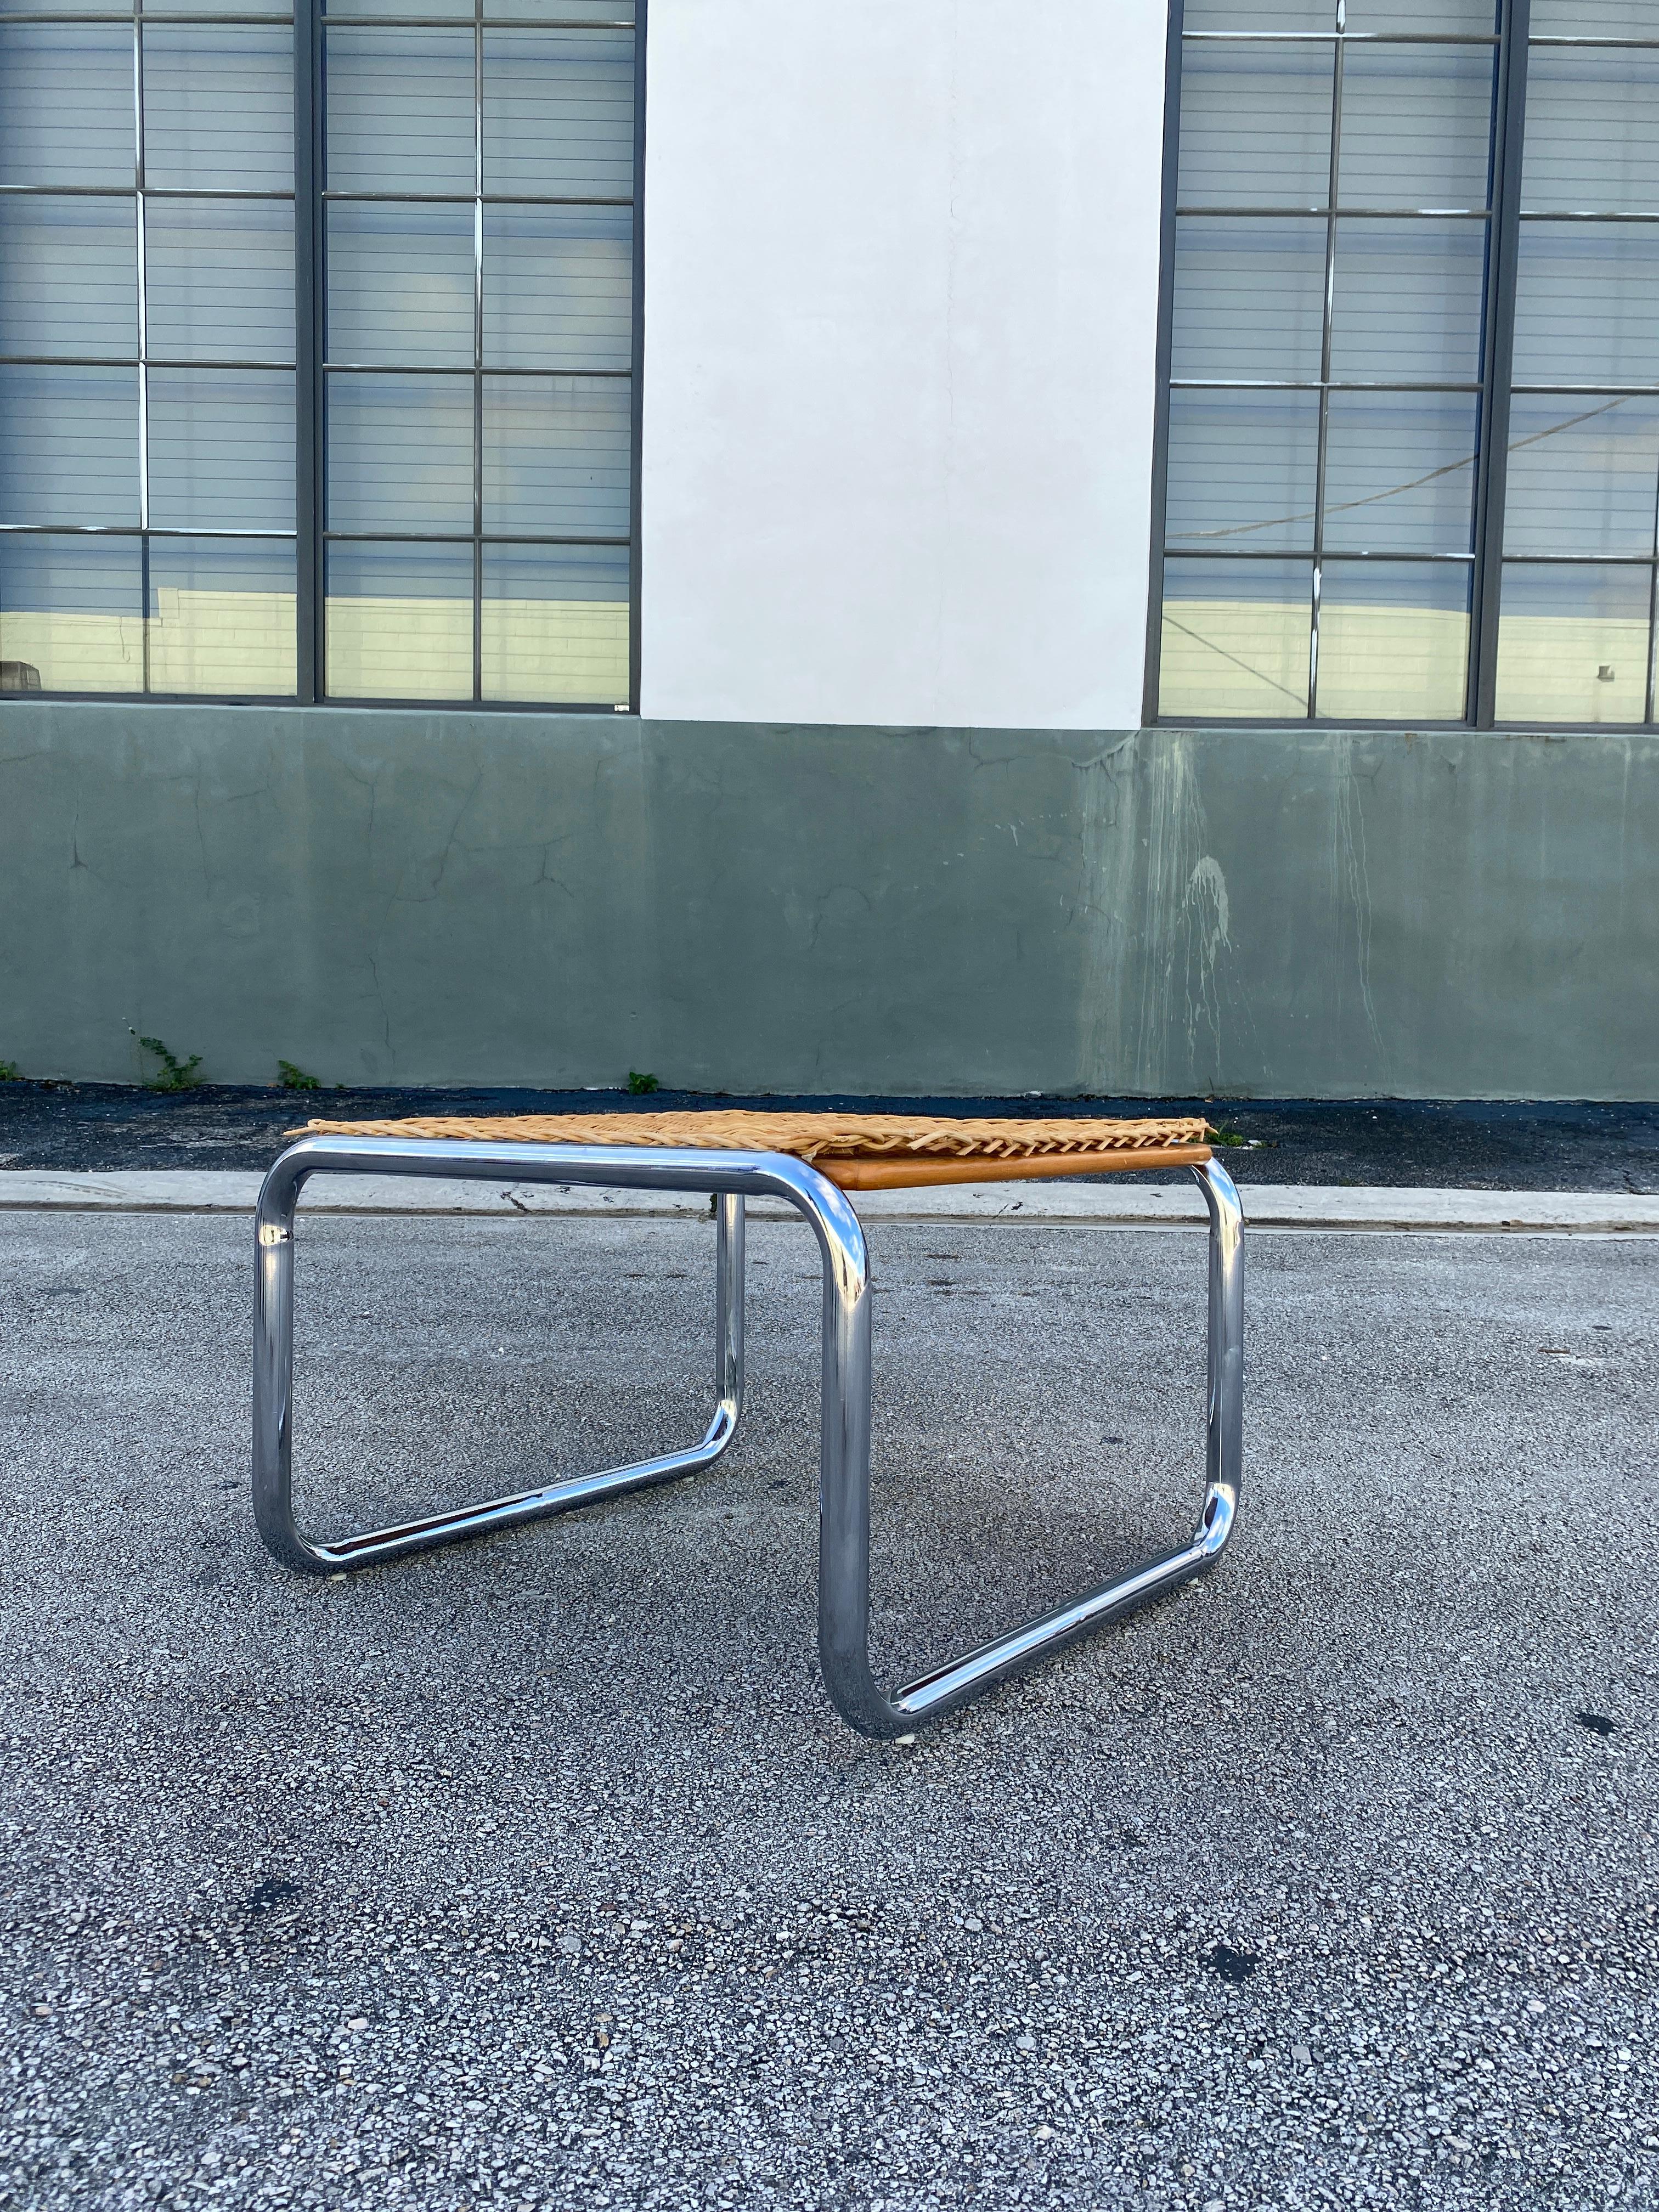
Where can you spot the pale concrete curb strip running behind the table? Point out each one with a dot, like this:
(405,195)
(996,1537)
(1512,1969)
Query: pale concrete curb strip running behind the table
(1178,1204)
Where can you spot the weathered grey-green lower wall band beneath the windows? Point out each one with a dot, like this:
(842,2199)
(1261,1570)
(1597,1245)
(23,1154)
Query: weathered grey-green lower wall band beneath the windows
(523,899)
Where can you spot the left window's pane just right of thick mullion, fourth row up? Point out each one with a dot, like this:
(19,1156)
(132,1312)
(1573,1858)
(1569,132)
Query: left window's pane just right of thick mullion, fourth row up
(401,112)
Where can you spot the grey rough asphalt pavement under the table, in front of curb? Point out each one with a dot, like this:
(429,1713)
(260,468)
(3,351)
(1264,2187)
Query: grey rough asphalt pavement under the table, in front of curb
(543,1875)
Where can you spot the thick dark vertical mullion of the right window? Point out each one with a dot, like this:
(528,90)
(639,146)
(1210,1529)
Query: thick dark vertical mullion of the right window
(1499,362)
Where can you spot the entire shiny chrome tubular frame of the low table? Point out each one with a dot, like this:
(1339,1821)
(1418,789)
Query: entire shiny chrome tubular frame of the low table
(844,1488)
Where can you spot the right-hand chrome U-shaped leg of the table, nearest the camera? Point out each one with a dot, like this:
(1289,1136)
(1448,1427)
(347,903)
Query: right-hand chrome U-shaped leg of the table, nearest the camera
(844,1505)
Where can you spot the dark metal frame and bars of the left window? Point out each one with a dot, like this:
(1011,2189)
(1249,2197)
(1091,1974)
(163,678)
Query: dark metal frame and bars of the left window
(311,200)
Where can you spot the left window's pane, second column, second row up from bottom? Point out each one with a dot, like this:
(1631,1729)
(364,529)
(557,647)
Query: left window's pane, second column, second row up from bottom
(222,450)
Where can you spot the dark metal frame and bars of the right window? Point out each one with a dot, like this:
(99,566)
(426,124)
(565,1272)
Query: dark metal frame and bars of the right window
(1505,220)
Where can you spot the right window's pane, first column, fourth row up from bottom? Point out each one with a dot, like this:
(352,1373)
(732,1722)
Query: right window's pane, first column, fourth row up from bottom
(1258,127)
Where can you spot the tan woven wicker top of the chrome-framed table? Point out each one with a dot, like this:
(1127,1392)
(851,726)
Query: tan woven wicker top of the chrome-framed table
(879,1151)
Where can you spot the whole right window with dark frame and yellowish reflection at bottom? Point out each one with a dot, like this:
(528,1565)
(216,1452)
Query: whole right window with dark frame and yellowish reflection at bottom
(1412,448)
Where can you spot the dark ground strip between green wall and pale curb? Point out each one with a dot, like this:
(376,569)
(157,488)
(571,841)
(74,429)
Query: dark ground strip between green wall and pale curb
(1472,1145)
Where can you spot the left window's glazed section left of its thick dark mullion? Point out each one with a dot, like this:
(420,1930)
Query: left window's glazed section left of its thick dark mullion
(123,298)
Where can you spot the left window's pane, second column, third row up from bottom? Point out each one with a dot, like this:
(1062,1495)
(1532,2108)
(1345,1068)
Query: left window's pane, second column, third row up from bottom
(220,280)
